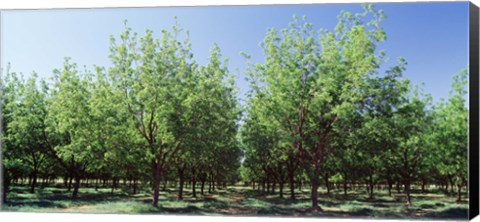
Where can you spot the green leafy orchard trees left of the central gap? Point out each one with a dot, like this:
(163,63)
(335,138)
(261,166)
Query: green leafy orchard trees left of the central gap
(155,111)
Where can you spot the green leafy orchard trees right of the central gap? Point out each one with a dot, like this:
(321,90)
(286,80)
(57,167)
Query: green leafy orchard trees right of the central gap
(320,106)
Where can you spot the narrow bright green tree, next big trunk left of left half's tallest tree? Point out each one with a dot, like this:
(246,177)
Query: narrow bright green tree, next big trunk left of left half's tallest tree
(72,121)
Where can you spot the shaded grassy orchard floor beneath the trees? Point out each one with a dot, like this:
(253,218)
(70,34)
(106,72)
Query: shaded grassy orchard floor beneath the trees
(239,200)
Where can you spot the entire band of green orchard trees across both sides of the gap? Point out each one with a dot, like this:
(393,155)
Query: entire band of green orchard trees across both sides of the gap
(321,109)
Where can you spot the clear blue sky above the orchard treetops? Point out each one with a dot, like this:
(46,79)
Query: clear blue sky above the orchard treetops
(432,37)
